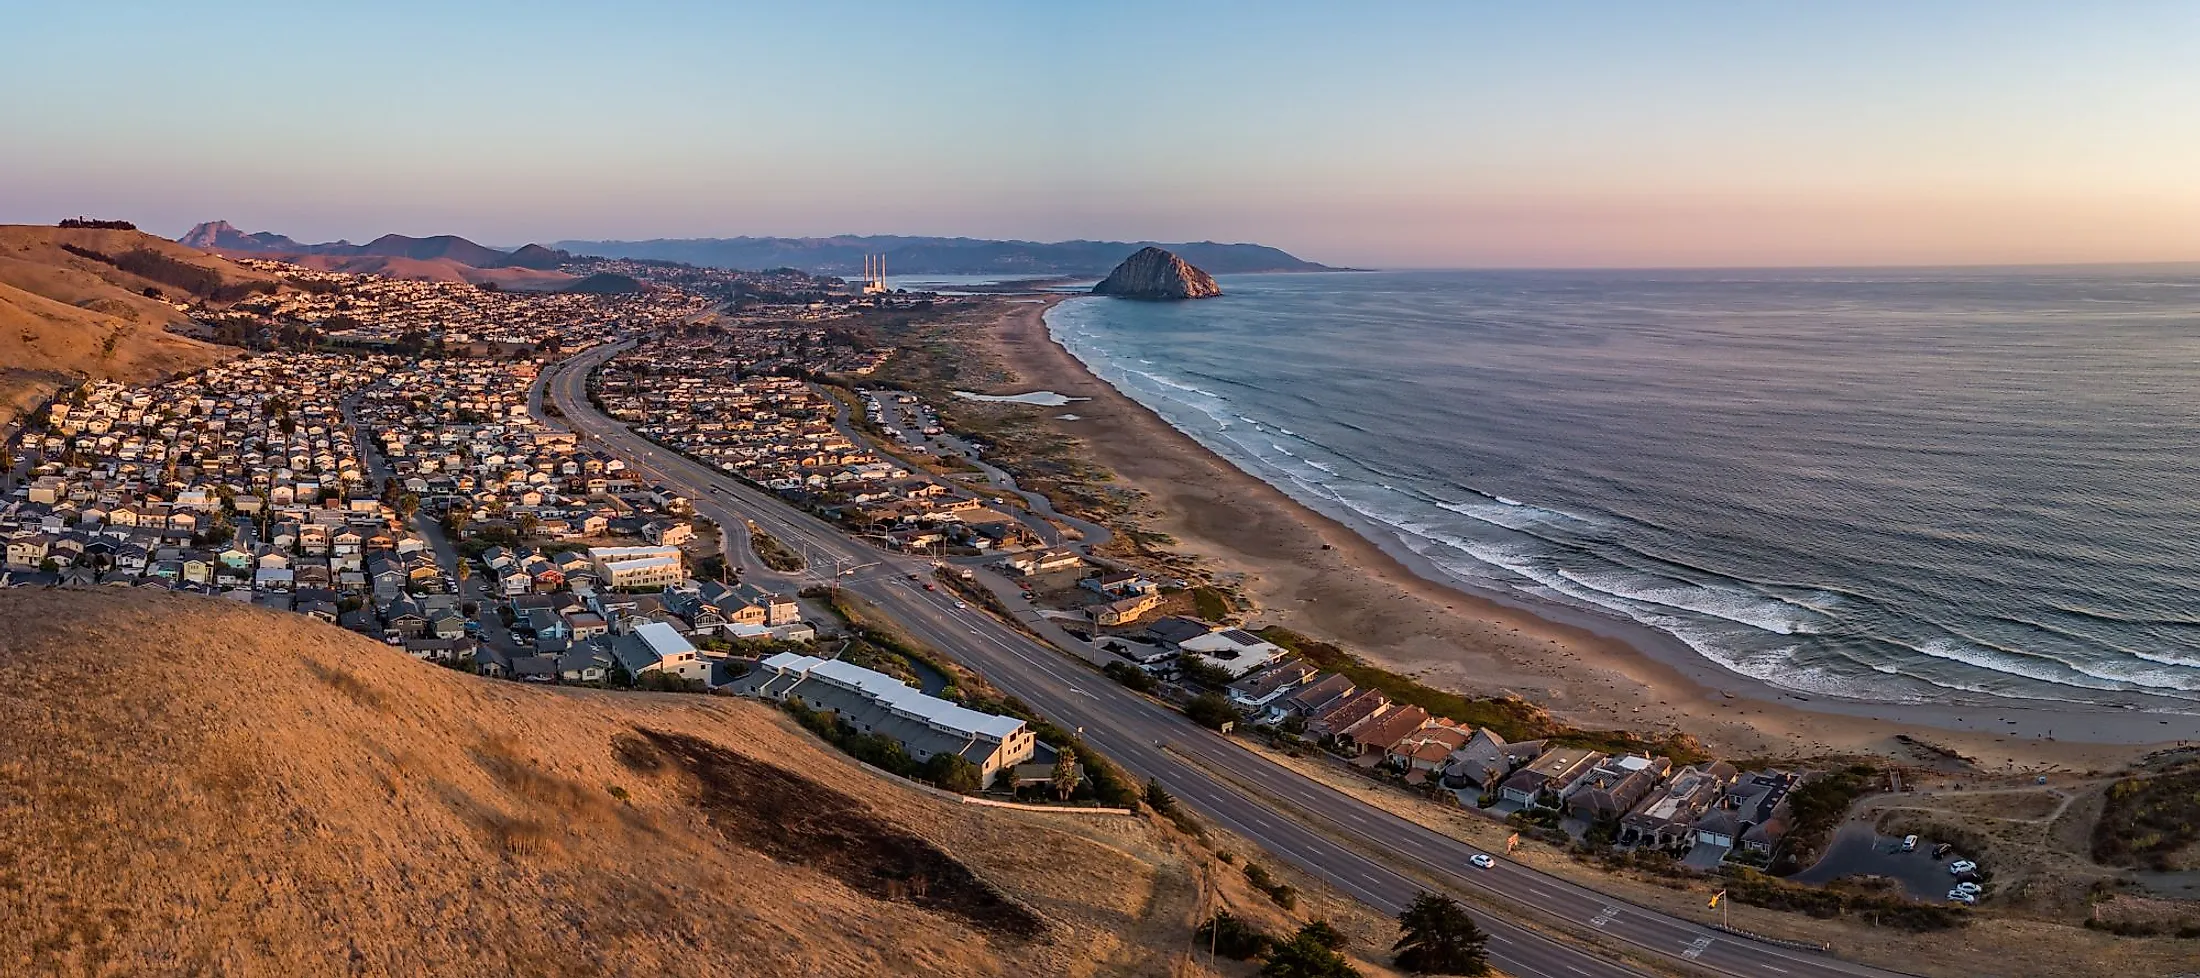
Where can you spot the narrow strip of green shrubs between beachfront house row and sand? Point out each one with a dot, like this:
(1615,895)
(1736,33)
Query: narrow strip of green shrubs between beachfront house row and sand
(1512,718)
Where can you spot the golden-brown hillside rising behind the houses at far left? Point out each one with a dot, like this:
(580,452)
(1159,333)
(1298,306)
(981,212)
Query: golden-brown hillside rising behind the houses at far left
(89,302)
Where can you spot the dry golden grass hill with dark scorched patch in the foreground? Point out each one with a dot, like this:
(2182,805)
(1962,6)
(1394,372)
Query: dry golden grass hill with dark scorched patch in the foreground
(190,786)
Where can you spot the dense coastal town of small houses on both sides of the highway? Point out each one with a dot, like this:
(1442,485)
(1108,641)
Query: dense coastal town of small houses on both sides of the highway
(388,463)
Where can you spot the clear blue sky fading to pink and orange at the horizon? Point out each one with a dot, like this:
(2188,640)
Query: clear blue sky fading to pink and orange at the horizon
(1352,133)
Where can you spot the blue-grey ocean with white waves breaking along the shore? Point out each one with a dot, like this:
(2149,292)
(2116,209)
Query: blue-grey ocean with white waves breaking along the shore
(1884,485)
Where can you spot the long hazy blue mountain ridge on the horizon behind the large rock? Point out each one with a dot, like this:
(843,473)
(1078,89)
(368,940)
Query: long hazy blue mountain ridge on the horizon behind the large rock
(938,256)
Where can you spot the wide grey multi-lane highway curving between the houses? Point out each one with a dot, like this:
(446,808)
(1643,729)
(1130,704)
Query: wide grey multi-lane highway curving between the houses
(1290,816)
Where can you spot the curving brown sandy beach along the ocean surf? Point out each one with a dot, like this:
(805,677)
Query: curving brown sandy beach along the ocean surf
(1312,573)
